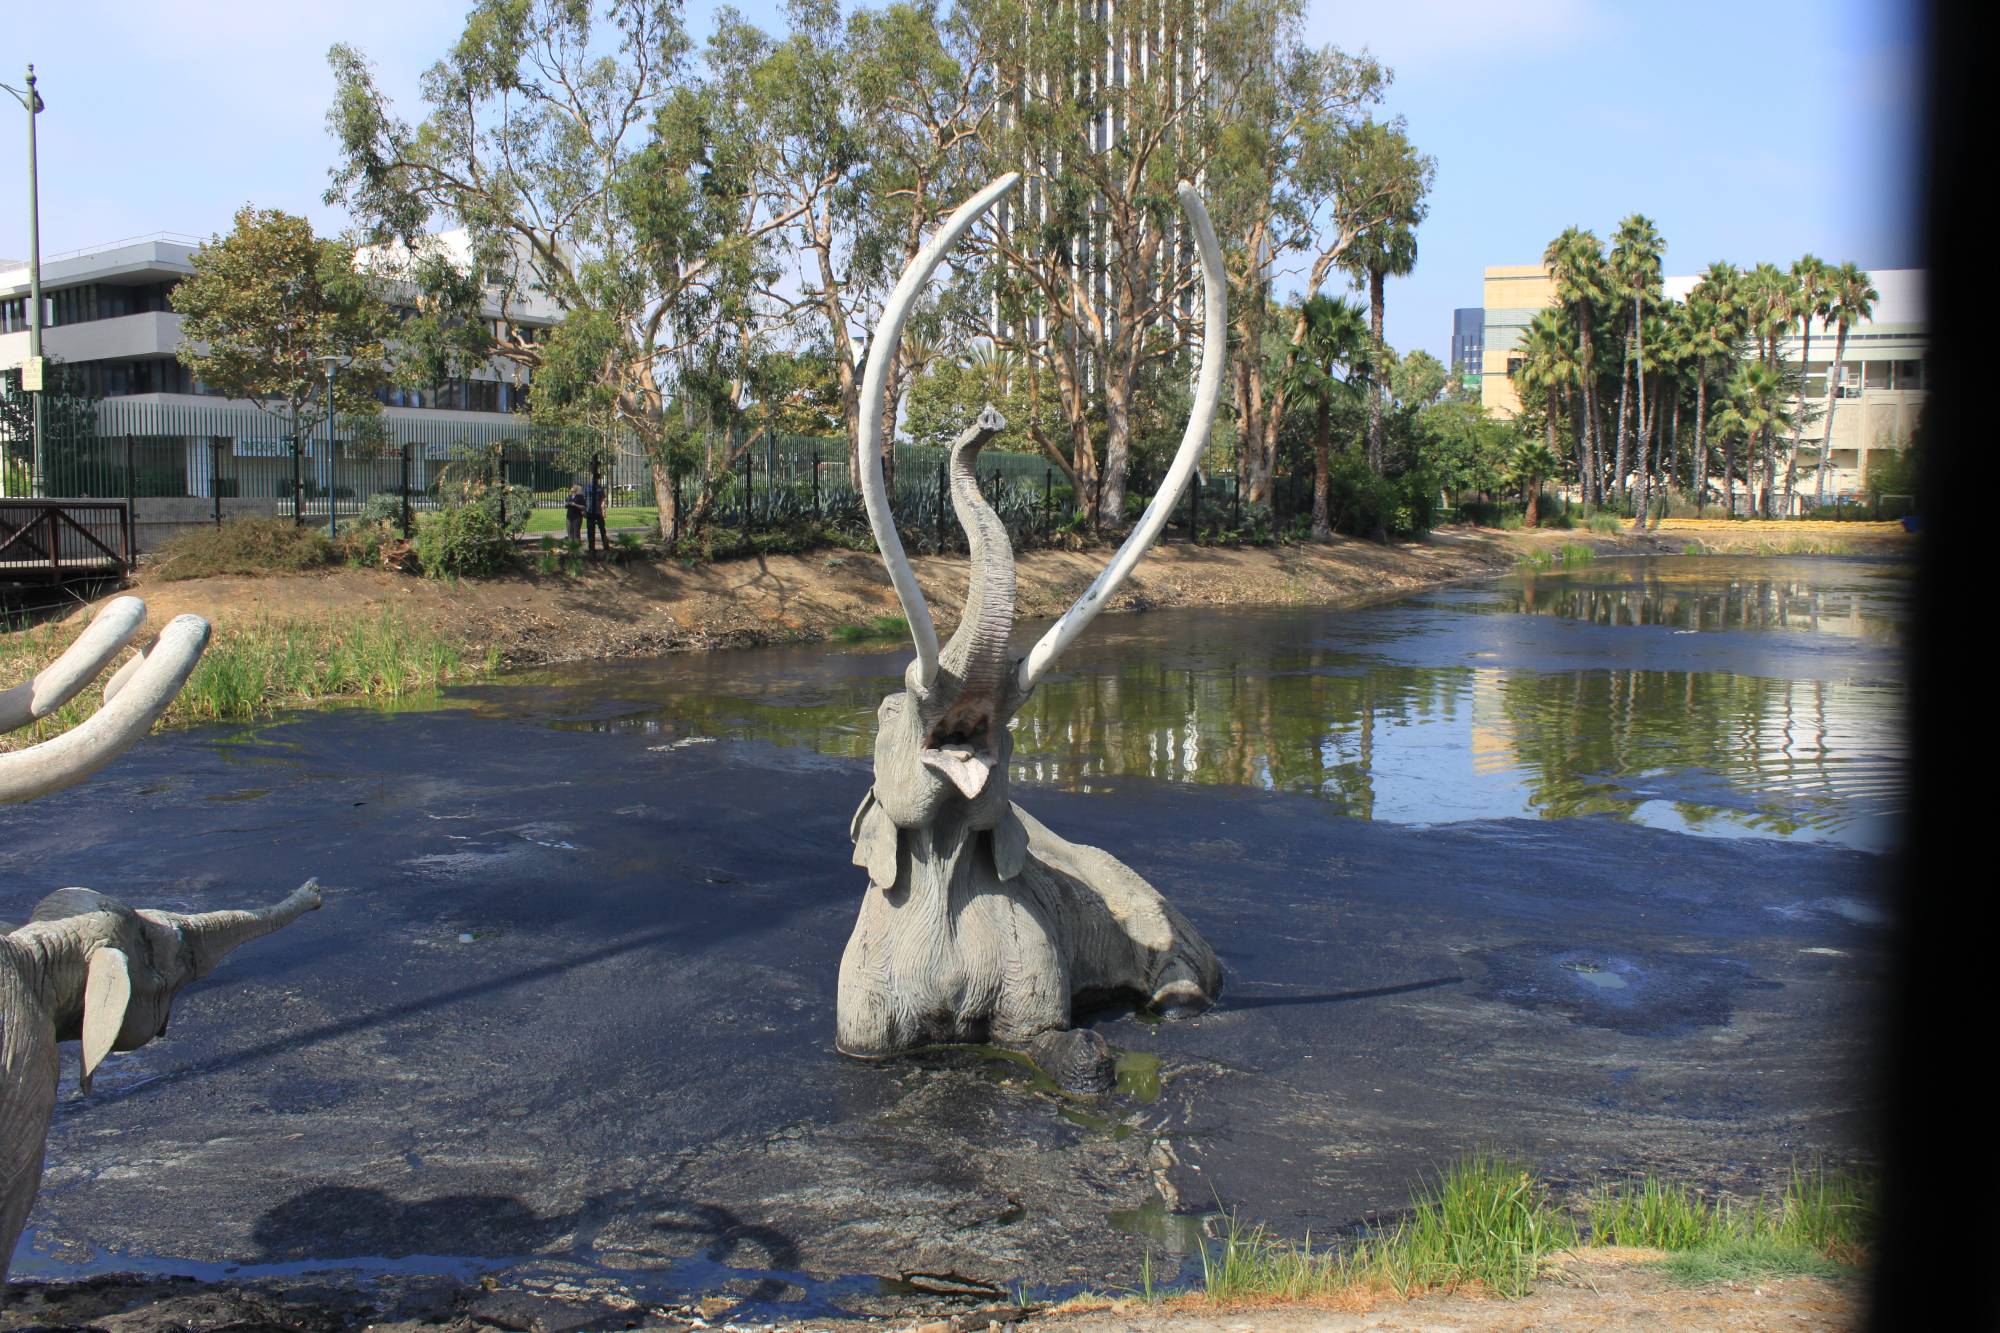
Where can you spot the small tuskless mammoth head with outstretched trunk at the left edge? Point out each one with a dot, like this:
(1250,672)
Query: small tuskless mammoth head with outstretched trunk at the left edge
(115,970)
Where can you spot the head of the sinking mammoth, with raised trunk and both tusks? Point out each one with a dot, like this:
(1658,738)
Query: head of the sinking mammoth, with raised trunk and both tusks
(943,742)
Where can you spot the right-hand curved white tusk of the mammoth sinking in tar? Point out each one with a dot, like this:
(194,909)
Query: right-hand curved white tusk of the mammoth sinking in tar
(1207,393)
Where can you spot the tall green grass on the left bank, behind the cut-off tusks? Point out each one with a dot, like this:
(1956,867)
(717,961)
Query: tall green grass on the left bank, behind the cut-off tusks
(257,668)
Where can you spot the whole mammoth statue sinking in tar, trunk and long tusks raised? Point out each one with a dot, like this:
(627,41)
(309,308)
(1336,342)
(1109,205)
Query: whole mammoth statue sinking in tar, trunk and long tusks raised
(979,924)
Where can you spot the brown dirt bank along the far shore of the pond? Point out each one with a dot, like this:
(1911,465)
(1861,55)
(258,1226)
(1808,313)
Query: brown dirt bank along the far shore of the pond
(661,607)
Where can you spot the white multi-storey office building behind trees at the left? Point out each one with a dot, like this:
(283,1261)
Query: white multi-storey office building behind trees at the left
(107,317)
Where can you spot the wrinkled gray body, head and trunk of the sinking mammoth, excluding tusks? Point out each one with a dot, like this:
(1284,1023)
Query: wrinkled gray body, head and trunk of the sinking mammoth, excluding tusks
(979,924)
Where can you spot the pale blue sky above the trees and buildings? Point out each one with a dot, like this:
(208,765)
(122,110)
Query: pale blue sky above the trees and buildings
(1751,131)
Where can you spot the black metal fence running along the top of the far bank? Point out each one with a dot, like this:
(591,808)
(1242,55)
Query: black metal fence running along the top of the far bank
(213,463)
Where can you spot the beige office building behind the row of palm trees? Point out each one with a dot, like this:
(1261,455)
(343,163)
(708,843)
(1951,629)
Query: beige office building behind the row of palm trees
(1881,379)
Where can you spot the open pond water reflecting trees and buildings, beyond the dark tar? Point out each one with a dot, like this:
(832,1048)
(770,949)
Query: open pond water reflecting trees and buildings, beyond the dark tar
(1327,724)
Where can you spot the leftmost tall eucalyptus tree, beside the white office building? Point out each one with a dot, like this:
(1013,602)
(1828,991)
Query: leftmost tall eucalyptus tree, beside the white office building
(593,171)
